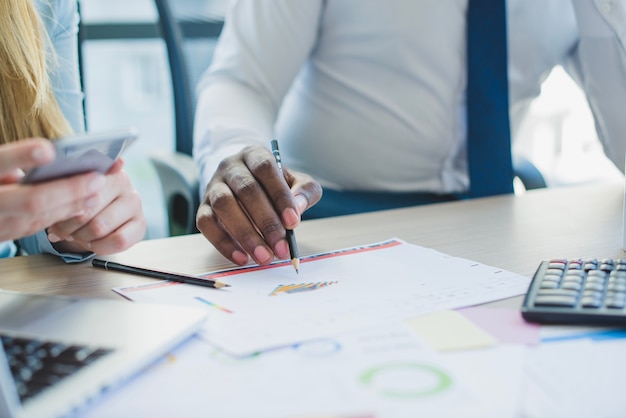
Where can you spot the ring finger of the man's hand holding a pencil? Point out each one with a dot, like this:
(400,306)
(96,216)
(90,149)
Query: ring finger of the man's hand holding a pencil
(234,219)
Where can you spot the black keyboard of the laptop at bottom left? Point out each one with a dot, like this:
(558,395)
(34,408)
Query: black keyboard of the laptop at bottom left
(36,365)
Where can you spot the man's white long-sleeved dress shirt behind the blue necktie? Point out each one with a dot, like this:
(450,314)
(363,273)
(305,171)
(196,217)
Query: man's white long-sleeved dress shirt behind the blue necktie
(370,94)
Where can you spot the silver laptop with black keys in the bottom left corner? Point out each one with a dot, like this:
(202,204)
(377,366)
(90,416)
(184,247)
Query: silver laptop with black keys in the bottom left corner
(58,353)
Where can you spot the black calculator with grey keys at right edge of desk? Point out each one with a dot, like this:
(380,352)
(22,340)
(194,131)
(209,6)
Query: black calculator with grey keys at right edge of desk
(578,291)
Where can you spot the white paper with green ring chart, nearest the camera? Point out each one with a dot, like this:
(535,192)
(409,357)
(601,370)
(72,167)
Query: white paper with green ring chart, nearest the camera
(382,372)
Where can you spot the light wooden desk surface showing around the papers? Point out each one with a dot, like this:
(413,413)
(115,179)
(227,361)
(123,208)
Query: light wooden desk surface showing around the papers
(514,233)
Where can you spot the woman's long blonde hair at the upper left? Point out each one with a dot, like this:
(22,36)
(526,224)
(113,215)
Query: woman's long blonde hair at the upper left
(27,104)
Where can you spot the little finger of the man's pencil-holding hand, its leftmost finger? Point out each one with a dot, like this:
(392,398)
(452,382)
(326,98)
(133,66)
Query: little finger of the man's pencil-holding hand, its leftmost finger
(210,227)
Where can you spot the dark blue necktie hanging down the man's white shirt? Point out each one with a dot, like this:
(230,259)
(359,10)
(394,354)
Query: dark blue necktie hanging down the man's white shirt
(488,132)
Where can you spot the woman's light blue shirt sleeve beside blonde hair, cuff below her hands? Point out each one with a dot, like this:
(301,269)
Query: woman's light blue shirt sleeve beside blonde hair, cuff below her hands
(61,20)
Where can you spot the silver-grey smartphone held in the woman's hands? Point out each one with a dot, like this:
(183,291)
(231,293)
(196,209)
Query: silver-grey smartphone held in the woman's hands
(83,153)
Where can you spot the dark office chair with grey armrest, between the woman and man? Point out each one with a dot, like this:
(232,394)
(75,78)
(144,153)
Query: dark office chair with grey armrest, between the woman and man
(176,170)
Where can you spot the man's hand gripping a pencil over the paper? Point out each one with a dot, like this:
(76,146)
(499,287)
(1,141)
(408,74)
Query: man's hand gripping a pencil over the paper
(249,203)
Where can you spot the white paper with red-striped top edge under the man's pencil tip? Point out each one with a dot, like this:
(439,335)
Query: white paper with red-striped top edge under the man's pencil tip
(357,287)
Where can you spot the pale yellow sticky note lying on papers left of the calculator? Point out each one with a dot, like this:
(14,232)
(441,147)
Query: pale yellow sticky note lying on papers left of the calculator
(449,330)
